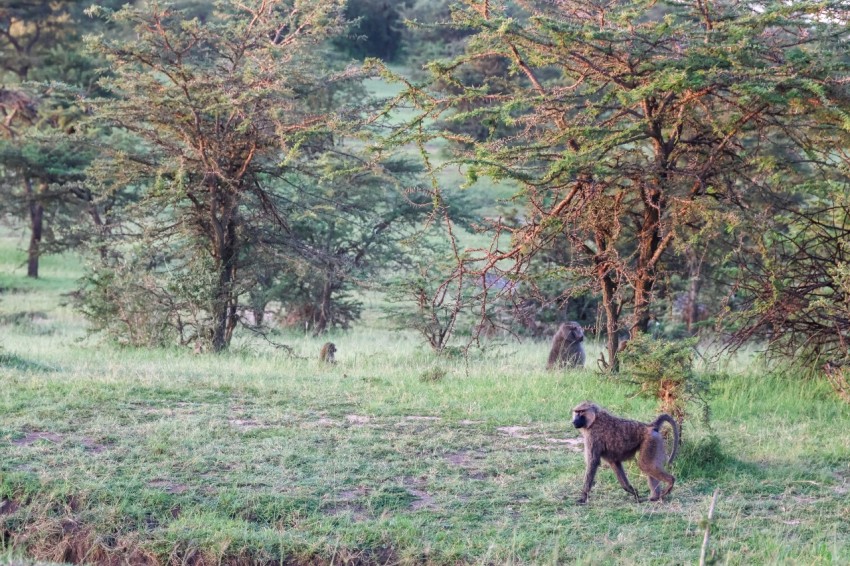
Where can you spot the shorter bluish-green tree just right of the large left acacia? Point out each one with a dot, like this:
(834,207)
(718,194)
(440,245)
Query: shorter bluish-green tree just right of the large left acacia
(344,229)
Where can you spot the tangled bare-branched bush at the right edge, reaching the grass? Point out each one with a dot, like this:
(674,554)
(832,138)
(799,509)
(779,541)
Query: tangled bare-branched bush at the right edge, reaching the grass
(795,288)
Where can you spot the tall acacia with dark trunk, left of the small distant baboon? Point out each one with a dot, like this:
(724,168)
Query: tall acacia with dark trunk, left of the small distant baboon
(226,112)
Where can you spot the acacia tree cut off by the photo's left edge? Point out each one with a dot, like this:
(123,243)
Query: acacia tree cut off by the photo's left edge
(42,157)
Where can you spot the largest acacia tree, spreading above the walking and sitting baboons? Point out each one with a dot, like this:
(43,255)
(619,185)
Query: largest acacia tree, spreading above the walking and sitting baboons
(635,125)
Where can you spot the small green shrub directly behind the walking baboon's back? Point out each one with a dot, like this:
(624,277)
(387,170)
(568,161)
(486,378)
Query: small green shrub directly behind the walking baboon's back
(664,370)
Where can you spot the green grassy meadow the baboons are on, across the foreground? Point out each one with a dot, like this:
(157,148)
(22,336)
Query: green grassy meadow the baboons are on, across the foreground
(393,456)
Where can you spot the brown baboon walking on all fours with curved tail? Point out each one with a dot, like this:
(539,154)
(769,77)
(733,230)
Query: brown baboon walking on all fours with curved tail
(615,440)
